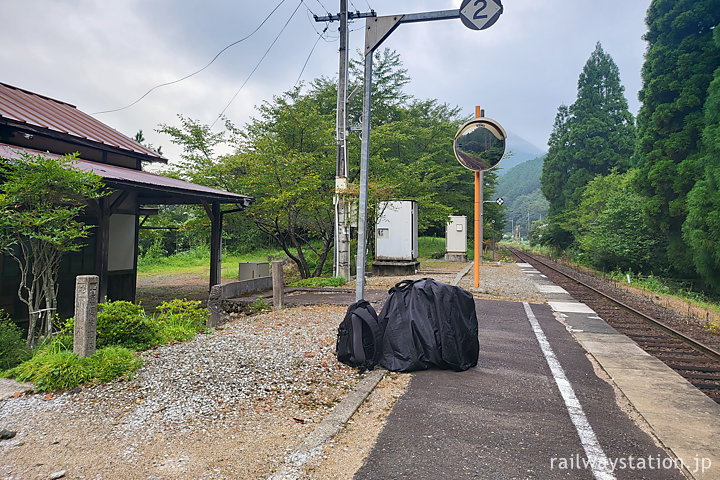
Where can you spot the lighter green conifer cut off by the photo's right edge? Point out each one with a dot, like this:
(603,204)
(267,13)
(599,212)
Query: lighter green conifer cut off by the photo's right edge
(702,227)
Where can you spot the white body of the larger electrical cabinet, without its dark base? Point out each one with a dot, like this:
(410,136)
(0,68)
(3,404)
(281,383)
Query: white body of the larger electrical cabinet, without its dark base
(396,230)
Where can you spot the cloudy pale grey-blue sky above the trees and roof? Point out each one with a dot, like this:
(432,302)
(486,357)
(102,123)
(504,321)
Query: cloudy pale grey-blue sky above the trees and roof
(101,55)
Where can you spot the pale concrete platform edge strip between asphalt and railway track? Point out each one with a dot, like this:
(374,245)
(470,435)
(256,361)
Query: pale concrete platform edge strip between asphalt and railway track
(658,394)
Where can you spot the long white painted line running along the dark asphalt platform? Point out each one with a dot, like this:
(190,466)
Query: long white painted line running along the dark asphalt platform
(597,459)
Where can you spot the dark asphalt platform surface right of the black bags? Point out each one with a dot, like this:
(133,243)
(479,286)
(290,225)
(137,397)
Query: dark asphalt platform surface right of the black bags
(507,419)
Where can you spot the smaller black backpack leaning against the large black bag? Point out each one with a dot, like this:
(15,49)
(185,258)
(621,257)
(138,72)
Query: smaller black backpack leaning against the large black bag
(359,341)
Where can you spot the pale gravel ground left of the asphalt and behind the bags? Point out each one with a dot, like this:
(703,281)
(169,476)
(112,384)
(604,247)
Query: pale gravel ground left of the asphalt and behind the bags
(230,404)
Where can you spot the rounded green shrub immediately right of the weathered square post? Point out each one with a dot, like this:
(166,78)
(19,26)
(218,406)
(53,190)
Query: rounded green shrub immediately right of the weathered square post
(125,324)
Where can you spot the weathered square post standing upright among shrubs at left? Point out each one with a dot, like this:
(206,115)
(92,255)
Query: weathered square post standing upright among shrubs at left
(86,304)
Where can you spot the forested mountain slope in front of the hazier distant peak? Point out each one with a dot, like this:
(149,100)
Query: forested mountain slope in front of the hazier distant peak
(520,189)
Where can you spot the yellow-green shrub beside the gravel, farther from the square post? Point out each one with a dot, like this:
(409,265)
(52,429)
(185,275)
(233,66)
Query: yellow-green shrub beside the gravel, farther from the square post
(179,320)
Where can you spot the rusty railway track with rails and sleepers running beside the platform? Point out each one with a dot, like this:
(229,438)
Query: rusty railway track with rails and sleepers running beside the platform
(697,362)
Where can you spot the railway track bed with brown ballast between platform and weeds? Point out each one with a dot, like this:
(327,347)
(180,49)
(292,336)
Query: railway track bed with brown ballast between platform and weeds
(680,342)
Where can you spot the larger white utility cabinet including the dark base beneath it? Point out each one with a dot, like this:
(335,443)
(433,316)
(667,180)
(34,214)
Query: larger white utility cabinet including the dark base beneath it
(396,238)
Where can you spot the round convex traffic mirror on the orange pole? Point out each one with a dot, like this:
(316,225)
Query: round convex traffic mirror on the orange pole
(480,144)
